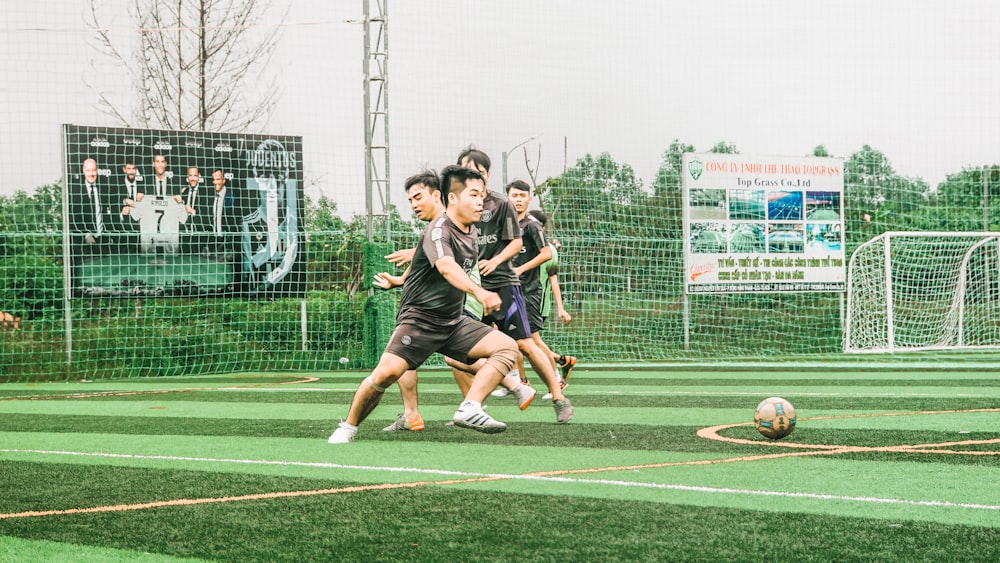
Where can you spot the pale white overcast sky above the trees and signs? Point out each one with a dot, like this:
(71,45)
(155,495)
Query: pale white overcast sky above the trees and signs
(918,80)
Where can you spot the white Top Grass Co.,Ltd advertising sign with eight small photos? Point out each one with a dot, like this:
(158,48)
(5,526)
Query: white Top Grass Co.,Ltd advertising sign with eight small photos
(763,224)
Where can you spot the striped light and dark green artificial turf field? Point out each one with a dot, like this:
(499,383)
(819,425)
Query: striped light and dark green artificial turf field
(659,464)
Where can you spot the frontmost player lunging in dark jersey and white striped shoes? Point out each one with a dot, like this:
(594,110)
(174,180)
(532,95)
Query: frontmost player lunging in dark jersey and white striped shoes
(430,312)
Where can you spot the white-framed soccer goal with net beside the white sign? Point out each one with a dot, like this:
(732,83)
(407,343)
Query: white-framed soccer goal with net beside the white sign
(910,291)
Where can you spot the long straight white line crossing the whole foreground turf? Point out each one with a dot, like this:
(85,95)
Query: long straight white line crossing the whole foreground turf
(502,476)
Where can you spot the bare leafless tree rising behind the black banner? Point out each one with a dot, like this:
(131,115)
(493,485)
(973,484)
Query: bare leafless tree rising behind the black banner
(194,64)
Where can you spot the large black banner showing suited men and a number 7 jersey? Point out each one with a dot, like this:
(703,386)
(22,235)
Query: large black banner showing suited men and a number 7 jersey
(181,213)
